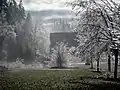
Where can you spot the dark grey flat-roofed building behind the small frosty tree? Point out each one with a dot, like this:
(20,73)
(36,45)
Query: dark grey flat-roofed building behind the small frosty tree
(67,37)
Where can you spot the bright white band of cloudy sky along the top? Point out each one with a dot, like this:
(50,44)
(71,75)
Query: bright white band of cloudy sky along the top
(45,4)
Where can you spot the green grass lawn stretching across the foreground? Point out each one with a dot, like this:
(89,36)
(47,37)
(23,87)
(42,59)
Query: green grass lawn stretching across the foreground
(56,80)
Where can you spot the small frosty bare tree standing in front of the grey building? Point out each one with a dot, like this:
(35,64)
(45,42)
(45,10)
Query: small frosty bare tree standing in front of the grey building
(58,54)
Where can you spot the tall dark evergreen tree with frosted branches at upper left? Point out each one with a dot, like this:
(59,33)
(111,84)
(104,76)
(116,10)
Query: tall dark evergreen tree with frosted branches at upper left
(10,14)
